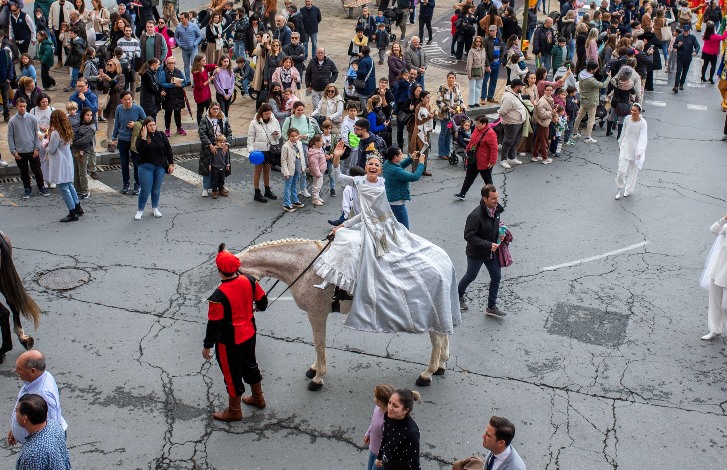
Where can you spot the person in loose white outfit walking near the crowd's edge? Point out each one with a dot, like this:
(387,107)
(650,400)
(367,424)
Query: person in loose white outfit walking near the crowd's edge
(632,151)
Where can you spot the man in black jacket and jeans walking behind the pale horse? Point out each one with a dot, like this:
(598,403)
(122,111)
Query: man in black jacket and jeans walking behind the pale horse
(482,232)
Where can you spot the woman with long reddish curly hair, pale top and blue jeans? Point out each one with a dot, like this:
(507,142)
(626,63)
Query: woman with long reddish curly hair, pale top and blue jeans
(60,162)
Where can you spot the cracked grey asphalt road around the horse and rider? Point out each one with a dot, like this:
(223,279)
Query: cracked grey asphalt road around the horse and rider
(598,363)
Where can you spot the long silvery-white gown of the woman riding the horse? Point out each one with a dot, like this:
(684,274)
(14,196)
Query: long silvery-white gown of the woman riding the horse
(400,282)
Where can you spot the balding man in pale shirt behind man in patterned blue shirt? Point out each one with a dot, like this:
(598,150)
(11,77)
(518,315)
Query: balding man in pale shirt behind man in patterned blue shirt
(30,367)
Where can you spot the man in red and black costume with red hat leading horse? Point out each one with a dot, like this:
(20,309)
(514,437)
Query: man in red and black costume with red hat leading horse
(231,331)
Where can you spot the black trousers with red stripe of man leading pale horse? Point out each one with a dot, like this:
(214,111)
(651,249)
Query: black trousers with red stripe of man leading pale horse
(238,365)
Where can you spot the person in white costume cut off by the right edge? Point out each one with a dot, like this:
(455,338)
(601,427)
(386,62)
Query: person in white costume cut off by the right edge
(714,279)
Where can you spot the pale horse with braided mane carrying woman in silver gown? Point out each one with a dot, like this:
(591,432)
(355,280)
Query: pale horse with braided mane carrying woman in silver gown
(285,260)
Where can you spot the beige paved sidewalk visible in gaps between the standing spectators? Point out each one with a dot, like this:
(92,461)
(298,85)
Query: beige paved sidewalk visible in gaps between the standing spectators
(337,31)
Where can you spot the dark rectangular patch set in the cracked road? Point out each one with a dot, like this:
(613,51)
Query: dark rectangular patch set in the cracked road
(589,325)
